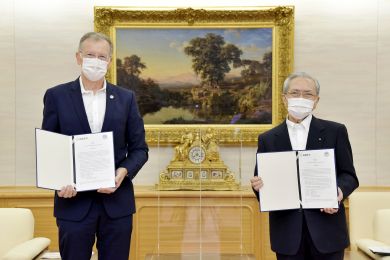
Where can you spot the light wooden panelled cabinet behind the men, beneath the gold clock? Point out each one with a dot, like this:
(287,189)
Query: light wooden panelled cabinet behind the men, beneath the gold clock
(226,222)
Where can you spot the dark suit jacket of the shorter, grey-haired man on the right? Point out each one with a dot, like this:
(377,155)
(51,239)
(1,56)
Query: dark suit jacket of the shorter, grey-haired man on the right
(328,232)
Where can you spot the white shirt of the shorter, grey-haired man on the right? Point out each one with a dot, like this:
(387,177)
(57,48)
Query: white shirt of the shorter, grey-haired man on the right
(299,132)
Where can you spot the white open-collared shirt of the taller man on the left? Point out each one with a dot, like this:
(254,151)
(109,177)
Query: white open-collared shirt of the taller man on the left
(95,106)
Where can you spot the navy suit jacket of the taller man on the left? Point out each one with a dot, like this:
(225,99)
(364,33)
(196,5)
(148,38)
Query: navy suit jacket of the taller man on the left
(64,113)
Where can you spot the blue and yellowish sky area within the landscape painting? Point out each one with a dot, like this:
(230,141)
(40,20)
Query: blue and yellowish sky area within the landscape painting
(162,50)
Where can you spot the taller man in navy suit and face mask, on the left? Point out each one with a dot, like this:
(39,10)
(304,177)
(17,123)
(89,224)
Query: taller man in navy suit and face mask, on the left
(89,105)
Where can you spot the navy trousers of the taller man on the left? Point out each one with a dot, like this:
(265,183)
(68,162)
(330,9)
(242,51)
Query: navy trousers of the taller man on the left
(76,238)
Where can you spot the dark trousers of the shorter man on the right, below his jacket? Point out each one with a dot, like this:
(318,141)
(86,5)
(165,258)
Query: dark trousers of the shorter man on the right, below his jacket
(308,251)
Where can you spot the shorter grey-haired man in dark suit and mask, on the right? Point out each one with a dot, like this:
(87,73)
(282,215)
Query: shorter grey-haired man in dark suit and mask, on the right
(309,233)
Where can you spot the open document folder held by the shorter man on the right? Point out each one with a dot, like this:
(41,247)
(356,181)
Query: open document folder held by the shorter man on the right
(297,179)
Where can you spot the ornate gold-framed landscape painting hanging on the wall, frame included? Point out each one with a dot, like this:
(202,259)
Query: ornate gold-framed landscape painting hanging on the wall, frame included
(202,25)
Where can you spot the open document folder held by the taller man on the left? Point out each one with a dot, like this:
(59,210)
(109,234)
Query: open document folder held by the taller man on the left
(85,161)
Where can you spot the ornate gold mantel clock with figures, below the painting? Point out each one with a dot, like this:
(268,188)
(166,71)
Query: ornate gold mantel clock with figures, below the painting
(197,165)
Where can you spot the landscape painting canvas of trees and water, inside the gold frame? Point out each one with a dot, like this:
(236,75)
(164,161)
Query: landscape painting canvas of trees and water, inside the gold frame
(219,76)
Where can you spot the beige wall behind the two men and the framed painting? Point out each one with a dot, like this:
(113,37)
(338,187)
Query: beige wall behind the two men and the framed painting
(345,44)
